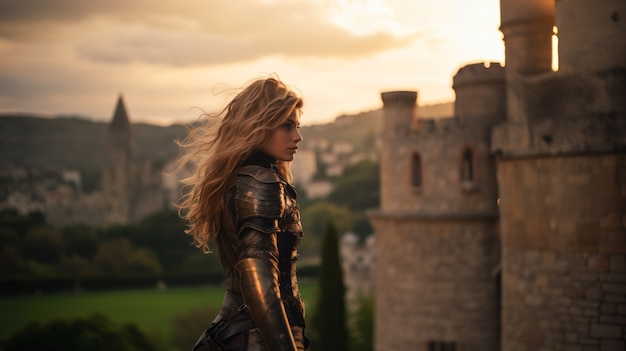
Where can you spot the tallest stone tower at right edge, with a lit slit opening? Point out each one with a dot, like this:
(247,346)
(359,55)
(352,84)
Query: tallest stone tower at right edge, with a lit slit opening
(561,169)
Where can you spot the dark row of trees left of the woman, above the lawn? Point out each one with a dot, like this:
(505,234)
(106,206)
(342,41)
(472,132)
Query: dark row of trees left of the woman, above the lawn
(157,245)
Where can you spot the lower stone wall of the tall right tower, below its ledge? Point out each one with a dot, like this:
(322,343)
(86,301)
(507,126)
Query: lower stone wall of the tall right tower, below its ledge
(563,256)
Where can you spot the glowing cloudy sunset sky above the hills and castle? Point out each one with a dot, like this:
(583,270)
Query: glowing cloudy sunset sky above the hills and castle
(171,59)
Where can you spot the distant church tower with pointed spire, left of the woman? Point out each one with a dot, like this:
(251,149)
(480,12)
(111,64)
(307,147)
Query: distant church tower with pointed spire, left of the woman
(131,190)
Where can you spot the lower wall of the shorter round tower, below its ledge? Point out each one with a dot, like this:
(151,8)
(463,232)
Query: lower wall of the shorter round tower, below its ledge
(441,279)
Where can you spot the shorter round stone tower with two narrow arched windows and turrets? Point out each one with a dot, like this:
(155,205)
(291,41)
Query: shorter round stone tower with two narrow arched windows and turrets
(437,275)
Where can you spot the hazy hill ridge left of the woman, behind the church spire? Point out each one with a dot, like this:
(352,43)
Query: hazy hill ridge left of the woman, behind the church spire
(77,143)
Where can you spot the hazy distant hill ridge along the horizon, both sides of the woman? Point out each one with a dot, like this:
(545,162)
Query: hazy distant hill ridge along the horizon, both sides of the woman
(79,143)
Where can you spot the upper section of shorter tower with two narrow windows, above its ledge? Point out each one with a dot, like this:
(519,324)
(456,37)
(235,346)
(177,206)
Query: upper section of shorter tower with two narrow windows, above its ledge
(440,145)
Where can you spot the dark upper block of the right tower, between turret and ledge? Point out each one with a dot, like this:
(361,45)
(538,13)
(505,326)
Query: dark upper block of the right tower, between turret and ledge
(560,120)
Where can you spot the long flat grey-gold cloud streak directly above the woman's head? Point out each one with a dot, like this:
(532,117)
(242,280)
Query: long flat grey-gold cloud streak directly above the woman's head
(139,43)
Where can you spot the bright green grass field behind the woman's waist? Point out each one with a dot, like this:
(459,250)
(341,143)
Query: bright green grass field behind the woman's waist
(151,310)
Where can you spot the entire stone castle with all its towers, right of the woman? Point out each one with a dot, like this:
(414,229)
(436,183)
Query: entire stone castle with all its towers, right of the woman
(504,227)
